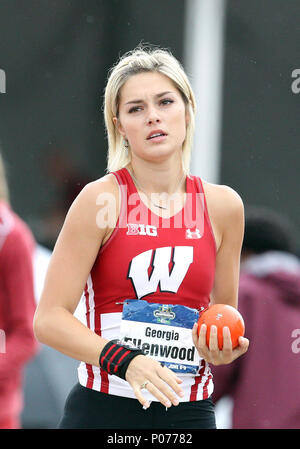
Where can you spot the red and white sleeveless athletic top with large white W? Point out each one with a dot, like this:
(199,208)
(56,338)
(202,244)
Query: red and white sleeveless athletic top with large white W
(154,259)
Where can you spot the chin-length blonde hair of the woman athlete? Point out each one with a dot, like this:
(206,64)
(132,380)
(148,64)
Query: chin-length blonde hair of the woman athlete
(144,59)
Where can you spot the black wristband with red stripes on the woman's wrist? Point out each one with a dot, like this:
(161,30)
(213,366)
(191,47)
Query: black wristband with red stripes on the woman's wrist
(115,358)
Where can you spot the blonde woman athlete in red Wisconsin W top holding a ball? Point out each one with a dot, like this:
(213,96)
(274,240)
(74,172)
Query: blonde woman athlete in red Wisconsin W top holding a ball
(131,243)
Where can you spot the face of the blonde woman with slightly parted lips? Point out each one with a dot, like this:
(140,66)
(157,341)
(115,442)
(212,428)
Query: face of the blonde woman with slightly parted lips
(152,116)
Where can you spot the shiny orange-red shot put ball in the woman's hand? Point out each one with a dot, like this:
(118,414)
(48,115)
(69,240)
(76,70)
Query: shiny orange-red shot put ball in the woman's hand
(223,315)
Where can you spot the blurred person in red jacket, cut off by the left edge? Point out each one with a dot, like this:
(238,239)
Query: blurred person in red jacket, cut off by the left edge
(17,307)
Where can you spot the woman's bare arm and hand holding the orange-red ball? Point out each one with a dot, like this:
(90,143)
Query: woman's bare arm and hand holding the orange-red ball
(230,222)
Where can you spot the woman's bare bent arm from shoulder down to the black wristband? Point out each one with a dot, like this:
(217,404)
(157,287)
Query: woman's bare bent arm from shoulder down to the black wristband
(73,257)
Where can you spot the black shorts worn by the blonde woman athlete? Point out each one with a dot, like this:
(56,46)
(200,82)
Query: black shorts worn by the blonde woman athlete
(89,409)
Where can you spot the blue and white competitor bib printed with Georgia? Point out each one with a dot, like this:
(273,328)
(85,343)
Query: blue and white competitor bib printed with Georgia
(163,332)
